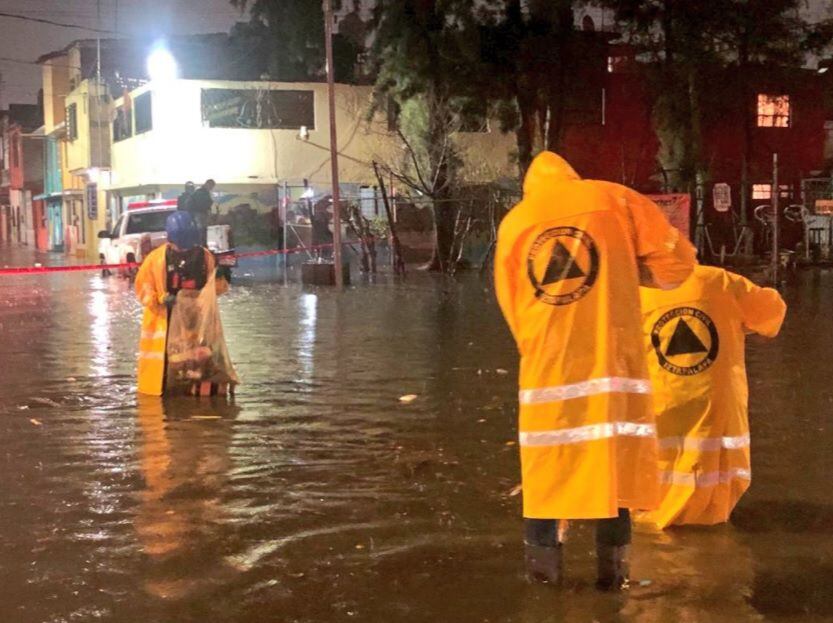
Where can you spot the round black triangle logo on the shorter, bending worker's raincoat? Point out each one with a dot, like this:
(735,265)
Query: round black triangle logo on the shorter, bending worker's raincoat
(685,340)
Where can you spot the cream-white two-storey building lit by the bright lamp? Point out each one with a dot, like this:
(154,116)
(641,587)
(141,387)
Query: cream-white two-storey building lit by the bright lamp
(253,137)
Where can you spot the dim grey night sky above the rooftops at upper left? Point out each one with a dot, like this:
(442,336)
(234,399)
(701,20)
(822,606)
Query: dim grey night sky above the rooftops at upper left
(28,40)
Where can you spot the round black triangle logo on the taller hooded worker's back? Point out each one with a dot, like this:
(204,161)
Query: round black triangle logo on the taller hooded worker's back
(562,265)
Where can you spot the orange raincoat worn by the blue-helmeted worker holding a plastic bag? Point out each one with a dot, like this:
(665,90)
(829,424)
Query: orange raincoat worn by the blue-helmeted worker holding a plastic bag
(151,288)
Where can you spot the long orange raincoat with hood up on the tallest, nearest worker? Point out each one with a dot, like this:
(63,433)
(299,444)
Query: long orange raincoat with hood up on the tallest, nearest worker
(567,274)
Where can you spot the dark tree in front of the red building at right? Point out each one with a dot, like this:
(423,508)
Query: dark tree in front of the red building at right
(730,41)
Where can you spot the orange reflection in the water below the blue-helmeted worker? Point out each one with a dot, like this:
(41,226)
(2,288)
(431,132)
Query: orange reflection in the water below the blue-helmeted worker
(184,460)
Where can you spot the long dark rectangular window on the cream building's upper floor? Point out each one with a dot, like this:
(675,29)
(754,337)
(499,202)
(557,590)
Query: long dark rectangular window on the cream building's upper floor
(258,108)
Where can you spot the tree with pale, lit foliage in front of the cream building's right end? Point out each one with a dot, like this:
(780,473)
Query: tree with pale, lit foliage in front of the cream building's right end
(418,63)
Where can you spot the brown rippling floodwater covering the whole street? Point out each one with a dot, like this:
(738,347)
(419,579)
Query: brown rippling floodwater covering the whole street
(318,496)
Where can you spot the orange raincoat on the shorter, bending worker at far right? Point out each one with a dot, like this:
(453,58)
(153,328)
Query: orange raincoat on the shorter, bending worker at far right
(694,338)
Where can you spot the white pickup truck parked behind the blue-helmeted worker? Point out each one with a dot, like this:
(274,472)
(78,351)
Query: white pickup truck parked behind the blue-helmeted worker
(142,228)
